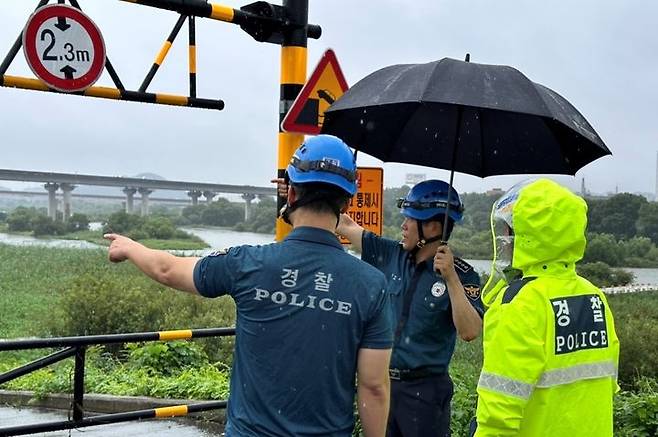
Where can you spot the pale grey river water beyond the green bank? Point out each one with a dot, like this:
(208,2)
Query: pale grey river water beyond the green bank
(218,238)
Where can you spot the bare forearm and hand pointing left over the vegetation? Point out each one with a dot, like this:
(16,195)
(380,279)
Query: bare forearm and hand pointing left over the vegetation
(163,267)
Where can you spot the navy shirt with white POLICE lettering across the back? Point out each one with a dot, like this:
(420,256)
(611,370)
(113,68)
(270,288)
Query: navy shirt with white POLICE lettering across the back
(304,309)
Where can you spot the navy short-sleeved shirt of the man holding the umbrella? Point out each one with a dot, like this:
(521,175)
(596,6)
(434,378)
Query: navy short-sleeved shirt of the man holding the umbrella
(428,338)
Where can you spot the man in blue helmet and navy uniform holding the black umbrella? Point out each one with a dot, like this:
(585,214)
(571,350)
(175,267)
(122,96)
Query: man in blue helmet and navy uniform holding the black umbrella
(435,297)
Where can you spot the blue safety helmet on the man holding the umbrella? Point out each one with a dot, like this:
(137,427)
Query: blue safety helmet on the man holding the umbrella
(428,199)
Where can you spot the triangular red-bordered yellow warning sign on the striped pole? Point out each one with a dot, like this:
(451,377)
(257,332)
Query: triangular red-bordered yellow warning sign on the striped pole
(324,87)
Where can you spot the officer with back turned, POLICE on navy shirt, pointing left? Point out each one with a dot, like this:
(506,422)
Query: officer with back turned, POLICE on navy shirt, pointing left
(309,315)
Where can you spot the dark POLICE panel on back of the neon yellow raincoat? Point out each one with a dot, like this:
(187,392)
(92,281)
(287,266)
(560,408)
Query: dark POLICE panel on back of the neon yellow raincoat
(579,323)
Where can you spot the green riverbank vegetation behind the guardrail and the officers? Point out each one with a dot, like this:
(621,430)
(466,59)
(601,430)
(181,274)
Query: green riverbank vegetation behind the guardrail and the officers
(48,292)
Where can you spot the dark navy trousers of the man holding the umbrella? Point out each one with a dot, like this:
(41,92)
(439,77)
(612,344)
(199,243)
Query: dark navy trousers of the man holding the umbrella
(420,407)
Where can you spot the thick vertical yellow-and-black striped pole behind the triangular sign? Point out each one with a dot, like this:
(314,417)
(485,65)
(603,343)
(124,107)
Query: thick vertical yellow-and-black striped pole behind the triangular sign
(293,76)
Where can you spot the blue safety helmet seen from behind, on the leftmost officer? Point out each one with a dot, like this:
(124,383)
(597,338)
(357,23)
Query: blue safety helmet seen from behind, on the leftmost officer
(325,159)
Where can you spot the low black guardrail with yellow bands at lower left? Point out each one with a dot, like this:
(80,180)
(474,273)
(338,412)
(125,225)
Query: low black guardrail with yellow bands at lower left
(76,347)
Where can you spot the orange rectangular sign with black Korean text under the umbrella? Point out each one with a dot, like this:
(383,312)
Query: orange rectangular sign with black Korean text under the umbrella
(367,205)
